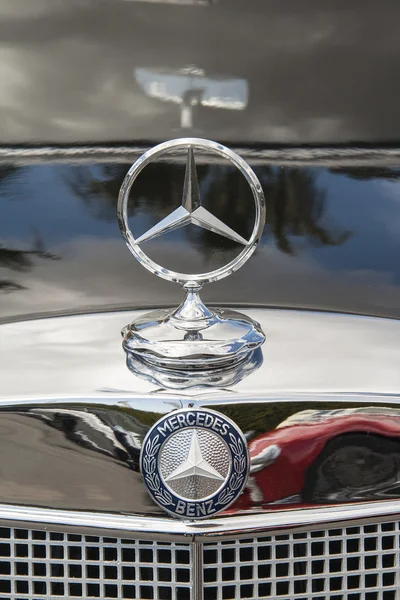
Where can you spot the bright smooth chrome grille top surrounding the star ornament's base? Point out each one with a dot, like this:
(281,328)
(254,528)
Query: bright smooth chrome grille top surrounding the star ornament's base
(312,355)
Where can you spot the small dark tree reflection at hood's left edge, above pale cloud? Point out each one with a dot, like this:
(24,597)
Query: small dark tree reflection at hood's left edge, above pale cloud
(21,261)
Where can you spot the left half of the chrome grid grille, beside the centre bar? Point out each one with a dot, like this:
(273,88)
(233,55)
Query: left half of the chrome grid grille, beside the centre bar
(38,564)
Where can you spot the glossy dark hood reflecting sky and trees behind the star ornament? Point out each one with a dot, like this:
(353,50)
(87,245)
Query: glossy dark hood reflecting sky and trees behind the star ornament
(331,239)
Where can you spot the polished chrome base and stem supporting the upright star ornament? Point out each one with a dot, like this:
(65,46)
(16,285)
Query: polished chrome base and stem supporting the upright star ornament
(192,337)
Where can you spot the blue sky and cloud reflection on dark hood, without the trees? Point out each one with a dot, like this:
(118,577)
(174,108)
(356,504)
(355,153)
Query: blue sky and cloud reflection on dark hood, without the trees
(39,201)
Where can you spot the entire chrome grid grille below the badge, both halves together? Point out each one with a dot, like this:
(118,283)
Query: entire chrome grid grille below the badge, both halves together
(357,559)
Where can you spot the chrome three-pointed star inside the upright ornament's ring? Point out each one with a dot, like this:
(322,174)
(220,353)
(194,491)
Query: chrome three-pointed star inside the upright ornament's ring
(191,211)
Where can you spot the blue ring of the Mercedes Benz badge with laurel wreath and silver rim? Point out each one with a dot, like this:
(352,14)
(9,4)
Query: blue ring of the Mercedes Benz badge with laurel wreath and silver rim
(225,496)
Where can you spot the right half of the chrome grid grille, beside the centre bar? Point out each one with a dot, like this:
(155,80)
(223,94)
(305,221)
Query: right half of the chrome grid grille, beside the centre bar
(356,563)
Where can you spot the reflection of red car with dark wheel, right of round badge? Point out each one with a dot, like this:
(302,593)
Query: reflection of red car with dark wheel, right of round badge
(327,456)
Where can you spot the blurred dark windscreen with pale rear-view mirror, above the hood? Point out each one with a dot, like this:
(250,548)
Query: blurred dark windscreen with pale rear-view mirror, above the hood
(300,72)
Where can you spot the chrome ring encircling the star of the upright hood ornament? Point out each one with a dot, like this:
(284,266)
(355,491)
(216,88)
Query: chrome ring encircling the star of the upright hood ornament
(212,147)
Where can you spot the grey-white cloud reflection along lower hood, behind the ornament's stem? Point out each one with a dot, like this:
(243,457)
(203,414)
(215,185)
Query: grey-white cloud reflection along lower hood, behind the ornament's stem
(98,273)
